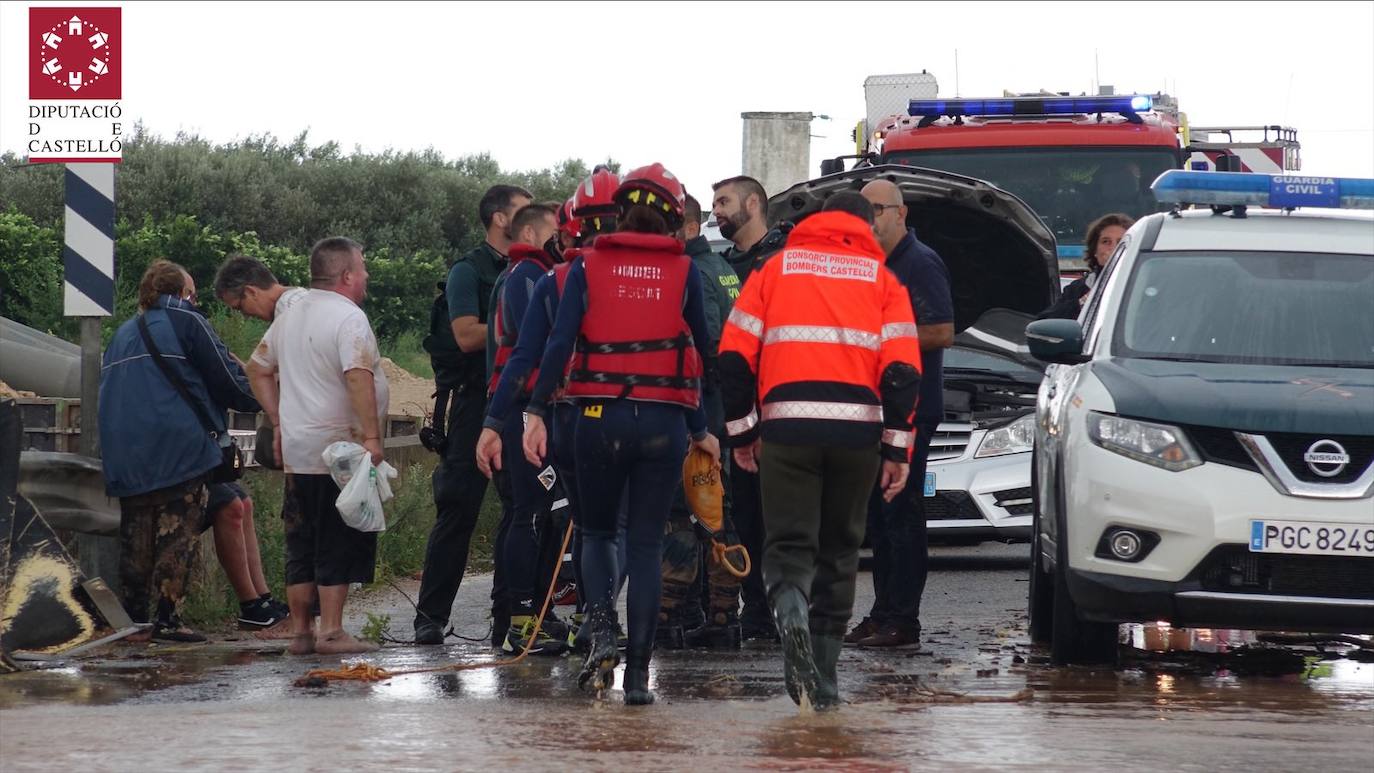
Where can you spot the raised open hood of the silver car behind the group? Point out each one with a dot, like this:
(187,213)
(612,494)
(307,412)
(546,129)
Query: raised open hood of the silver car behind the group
(1000,255)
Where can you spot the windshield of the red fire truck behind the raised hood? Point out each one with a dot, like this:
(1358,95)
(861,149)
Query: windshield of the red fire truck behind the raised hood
(1067,187)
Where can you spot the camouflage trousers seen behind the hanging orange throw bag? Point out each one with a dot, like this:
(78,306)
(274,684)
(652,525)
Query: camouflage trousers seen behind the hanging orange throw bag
(685,550)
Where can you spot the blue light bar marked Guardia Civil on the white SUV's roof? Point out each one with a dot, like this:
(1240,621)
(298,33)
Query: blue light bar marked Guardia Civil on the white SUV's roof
(1281,192)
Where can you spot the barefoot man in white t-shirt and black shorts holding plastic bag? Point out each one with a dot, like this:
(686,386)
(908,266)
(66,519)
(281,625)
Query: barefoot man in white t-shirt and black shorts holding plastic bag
(332,389)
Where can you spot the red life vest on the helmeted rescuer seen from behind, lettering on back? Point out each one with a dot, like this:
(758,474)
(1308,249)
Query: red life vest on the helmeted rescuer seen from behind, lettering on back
(634,343)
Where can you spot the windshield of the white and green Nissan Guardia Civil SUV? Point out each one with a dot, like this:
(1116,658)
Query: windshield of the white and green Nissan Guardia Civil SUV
(1258,308)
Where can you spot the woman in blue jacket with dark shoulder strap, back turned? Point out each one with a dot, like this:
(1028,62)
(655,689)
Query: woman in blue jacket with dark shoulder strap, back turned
(156,452)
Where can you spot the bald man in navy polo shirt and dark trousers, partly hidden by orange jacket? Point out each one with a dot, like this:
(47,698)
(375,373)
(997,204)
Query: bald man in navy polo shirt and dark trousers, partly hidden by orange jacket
(898,529)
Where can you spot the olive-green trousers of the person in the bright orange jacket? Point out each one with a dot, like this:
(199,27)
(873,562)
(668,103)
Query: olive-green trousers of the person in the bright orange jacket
(815,506)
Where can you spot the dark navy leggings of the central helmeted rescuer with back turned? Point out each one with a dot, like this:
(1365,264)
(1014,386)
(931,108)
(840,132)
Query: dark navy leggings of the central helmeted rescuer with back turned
(641,444)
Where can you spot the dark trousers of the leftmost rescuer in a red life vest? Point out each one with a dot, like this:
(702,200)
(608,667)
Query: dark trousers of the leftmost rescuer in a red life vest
(530,525)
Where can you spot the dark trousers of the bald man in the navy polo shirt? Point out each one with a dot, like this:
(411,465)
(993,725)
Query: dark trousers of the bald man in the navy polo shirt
(901,544)
